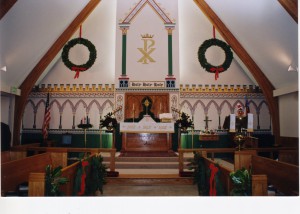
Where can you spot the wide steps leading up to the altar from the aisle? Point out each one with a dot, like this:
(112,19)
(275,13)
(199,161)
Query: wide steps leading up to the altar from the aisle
(148,171)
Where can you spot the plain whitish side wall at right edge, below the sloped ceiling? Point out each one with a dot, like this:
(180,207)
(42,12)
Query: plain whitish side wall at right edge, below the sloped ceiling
(289,115)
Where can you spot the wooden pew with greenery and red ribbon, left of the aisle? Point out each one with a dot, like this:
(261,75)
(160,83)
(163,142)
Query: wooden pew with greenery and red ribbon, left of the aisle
(84,177)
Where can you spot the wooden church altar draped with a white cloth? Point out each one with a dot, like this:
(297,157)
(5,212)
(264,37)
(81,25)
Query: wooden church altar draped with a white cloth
(146,135)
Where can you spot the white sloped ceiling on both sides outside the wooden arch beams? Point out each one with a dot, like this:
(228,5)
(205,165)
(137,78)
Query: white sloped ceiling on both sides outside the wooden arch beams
(263,27)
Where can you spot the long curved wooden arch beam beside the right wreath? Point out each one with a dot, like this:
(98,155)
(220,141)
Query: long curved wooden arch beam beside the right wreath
(262,80)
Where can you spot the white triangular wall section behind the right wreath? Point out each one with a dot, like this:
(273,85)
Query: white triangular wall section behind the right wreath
(190,69)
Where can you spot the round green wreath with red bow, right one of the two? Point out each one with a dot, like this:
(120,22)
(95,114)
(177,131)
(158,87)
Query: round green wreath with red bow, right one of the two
(211,68)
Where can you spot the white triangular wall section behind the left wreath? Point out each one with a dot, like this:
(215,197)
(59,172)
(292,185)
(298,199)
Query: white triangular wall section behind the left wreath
(102,19)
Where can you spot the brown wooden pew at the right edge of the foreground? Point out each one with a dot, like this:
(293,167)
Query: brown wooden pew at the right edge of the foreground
(284,176)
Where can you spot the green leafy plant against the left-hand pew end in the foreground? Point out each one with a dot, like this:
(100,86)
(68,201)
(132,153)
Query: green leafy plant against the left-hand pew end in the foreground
(54,181)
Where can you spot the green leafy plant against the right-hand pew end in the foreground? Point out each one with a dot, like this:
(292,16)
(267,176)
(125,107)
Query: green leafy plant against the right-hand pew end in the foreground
(241,182)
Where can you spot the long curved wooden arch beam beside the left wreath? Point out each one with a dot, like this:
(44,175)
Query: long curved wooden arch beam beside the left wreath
(31,79)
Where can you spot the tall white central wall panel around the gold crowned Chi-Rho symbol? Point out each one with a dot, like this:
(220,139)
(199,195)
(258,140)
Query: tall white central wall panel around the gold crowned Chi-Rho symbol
(148,21)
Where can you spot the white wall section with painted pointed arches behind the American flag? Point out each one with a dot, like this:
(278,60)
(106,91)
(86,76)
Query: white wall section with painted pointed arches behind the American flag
(68,106)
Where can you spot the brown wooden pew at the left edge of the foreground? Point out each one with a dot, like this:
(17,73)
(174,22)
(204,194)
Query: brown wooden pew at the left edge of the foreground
(16,172)
